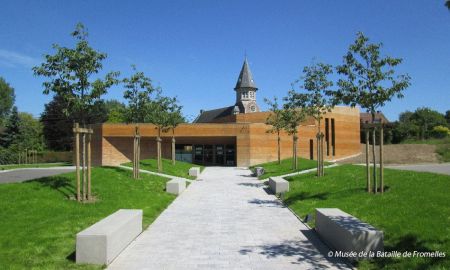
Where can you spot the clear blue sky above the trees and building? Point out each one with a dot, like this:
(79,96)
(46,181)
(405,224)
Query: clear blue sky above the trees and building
(195,49)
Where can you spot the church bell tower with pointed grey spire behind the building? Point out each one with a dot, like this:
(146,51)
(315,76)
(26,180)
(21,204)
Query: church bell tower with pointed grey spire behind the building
(246,91)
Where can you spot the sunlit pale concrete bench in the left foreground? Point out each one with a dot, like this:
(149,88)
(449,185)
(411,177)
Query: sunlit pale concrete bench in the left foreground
(102,242)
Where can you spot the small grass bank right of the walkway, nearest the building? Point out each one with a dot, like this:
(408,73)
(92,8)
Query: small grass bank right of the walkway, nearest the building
(275,169)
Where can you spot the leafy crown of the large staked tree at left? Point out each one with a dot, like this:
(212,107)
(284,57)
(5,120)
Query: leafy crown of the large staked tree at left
(70,72)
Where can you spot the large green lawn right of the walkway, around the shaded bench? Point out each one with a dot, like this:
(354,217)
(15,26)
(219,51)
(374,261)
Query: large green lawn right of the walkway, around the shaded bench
(414,212)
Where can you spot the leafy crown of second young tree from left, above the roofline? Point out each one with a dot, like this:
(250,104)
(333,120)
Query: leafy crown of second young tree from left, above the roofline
(138,93)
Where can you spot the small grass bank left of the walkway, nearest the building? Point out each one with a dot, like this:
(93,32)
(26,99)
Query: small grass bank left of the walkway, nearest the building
(180,169)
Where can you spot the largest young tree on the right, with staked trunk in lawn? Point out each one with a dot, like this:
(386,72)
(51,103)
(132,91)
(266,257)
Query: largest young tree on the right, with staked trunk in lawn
(368,81)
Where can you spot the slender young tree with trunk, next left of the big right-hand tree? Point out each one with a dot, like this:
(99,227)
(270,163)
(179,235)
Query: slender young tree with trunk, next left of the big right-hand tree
(317,101)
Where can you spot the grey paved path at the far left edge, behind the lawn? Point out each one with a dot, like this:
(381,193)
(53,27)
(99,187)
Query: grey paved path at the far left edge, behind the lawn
(21,175)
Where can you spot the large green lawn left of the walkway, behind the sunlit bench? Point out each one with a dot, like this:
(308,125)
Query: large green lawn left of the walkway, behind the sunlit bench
(38,221)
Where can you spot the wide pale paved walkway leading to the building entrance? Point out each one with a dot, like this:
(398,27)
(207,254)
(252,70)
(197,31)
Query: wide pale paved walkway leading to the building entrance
(226,221)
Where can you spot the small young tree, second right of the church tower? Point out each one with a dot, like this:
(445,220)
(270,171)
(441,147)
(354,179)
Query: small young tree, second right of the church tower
(293,115)
